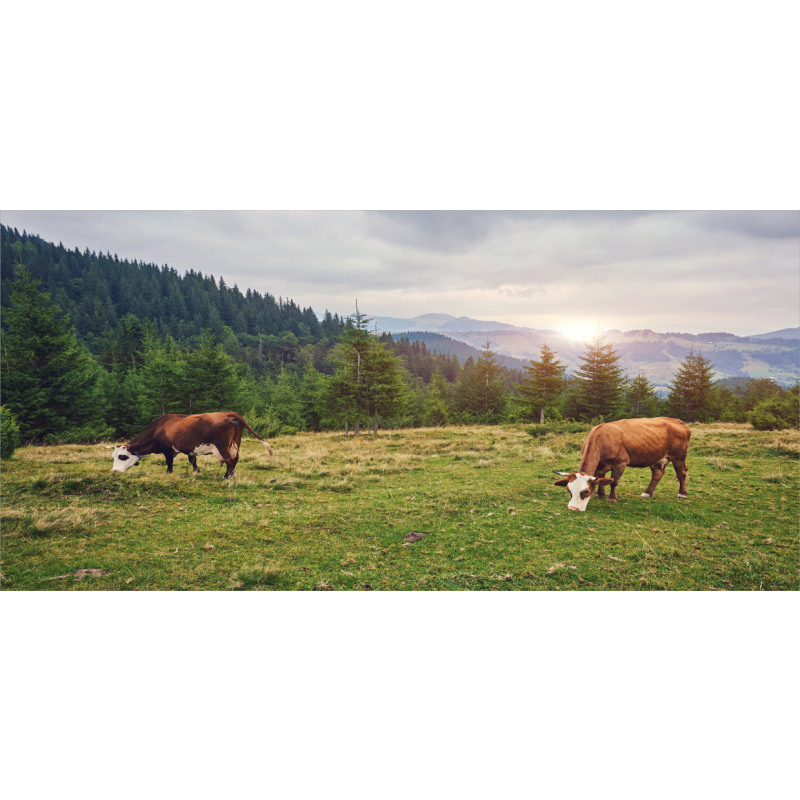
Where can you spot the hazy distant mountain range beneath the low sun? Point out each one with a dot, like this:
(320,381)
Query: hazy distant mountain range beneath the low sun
(657,356)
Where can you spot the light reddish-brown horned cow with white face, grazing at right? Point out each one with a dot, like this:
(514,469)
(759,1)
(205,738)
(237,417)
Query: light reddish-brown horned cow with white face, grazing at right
(613,446)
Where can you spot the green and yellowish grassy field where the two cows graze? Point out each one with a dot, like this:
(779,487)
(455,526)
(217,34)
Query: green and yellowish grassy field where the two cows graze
(331,512)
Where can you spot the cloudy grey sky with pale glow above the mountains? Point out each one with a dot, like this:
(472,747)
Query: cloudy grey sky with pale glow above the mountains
(572,271)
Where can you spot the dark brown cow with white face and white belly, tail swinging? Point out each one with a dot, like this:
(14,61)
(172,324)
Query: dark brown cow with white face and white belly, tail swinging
(218,434)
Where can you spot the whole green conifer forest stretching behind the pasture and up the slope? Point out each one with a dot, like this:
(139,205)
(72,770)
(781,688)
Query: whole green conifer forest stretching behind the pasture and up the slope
(94,347)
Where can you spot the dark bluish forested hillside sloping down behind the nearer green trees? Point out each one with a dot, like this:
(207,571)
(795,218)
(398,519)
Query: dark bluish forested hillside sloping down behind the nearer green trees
(99,291)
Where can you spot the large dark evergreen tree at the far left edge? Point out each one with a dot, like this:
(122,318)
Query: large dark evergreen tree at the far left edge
(50,383)
